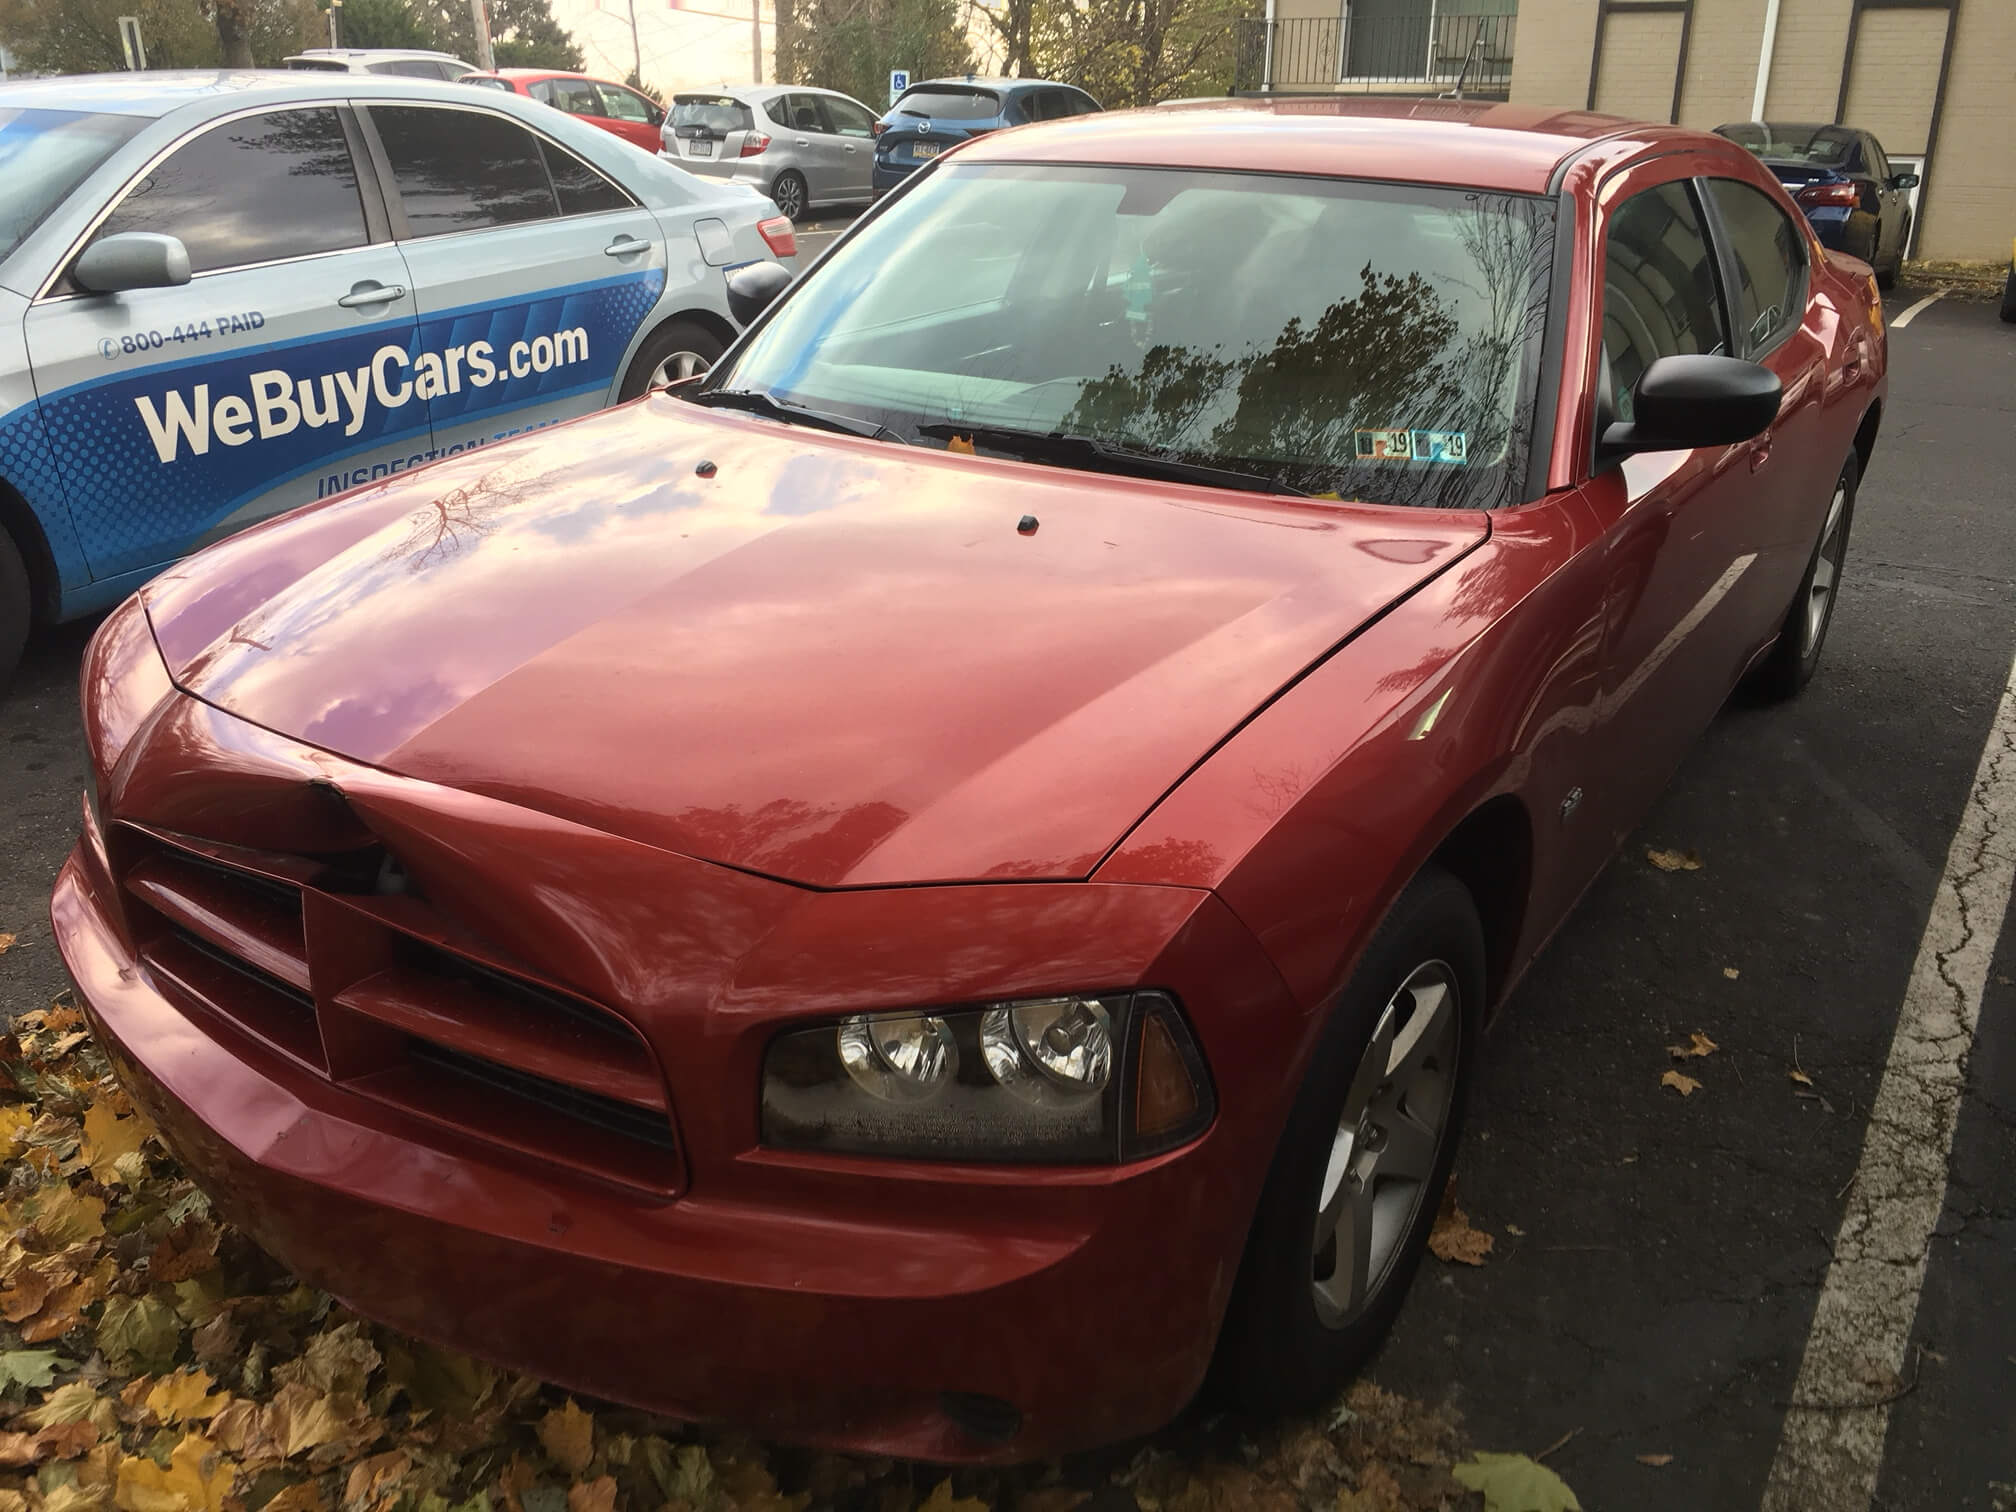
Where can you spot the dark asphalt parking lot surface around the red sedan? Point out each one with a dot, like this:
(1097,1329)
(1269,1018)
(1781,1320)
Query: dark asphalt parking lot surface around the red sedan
(1658,1257)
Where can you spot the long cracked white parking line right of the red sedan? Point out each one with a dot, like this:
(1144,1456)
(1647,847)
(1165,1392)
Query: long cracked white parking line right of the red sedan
(1832,1448)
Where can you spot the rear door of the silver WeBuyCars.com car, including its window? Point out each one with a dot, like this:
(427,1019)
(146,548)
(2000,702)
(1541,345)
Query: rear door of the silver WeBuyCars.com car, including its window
(531,265)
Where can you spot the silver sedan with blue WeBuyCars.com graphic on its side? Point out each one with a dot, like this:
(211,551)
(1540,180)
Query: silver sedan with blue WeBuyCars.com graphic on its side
(227,295)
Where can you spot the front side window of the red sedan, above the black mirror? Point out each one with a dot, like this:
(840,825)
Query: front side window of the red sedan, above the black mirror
(1658,289)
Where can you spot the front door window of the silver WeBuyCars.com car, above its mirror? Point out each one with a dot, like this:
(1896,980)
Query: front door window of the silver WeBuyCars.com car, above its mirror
(271,186)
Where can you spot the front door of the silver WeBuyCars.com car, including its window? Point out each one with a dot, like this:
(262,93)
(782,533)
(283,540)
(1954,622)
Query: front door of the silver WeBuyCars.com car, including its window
(265,382)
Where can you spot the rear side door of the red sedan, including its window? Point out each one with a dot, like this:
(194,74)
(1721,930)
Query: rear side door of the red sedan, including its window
(1767,267)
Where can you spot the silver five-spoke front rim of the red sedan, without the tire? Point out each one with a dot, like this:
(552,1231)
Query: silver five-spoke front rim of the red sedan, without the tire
(1386,1144)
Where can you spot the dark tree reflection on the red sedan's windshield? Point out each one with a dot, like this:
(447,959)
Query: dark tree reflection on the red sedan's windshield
(1394,354)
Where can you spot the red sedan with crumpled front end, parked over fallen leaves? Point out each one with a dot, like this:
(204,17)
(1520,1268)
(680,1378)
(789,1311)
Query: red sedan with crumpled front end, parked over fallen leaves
(926,888)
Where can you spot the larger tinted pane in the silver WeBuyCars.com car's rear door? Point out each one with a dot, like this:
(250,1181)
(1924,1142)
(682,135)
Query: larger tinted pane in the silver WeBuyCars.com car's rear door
(461,170)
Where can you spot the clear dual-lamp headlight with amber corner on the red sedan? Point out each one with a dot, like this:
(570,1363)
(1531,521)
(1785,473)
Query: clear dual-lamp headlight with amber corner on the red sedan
(1088,1078)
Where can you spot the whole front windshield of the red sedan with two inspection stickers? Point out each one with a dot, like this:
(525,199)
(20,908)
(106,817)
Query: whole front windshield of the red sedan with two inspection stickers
(1319,336)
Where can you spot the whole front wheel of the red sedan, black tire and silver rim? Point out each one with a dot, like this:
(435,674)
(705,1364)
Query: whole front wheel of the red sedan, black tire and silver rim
(1362,1166)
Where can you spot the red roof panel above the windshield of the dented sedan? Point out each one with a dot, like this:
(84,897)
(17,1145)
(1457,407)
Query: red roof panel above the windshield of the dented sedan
(1477,144)
